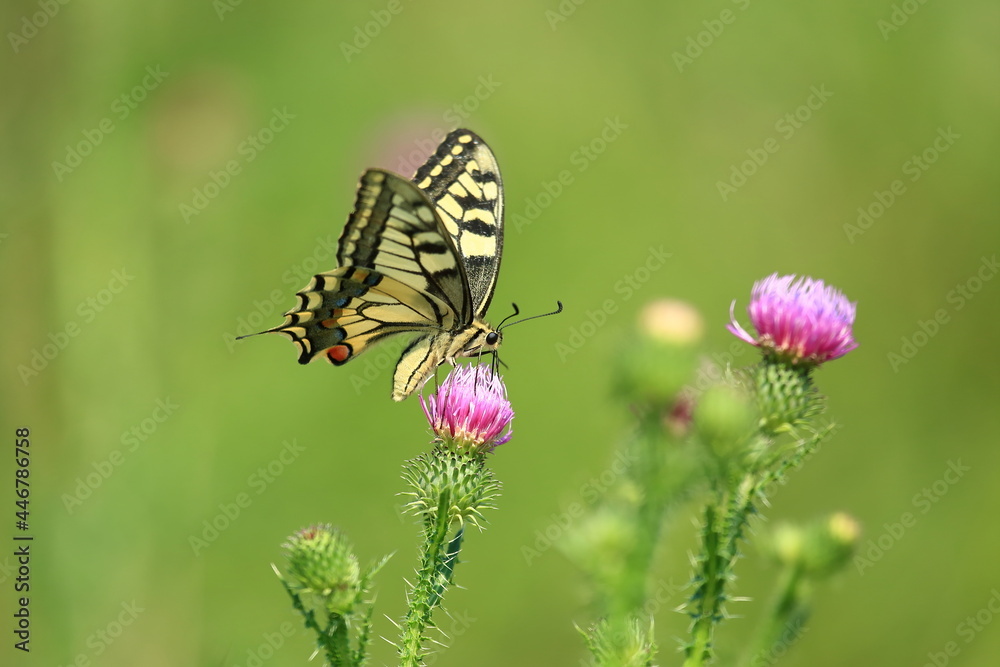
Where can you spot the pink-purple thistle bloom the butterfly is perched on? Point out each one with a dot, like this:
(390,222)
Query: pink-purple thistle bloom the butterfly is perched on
(471,408)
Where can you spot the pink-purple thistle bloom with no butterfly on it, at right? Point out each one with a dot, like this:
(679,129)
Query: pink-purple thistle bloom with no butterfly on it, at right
(798,319)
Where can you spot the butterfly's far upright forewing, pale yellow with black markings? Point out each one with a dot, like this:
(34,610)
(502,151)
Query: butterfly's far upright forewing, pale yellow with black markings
(462,179)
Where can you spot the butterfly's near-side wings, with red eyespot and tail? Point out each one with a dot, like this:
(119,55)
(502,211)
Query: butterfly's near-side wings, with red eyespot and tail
(399,274)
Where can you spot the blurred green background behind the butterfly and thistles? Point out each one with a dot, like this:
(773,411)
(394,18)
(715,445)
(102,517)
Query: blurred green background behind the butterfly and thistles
(172,172)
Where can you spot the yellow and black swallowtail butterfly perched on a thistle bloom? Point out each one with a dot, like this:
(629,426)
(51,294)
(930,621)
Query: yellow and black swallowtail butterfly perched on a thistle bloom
(417,258)
